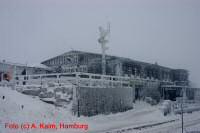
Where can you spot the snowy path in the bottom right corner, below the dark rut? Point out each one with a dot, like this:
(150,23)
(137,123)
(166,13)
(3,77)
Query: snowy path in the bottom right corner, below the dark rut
(191,123)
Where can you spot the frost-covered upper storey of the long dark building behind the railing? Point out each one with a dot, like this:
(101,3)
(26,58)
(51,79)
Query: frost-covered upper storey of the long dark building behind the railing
(79,61)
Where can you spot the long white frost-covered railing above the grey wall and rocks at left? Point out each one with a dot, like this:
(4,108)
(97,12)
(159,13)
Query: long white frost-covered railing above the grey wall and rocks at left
(77,78)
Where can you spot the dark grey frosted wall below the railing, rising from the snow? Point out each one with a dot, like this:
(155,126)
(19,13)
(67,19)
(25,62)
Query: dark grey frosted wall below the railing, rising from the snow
(93,101)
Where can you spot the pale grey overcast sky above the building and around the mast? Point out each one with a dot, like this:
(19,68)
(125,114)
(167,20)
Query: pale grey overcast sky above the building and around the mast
(162,31)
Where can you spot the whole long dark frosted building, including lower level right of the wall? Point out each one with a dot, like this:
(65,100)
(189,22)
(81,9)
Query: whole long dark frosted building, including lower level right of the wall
(149,76)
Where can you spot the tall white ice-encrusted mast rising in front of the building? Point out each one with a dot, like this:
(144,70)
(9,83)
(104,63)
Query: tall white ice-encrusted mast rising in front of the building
(103,40)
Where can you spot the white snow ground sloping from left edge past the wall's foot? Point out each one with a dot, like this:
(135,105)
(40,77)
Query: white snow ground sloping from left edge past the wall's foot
(36,111)
